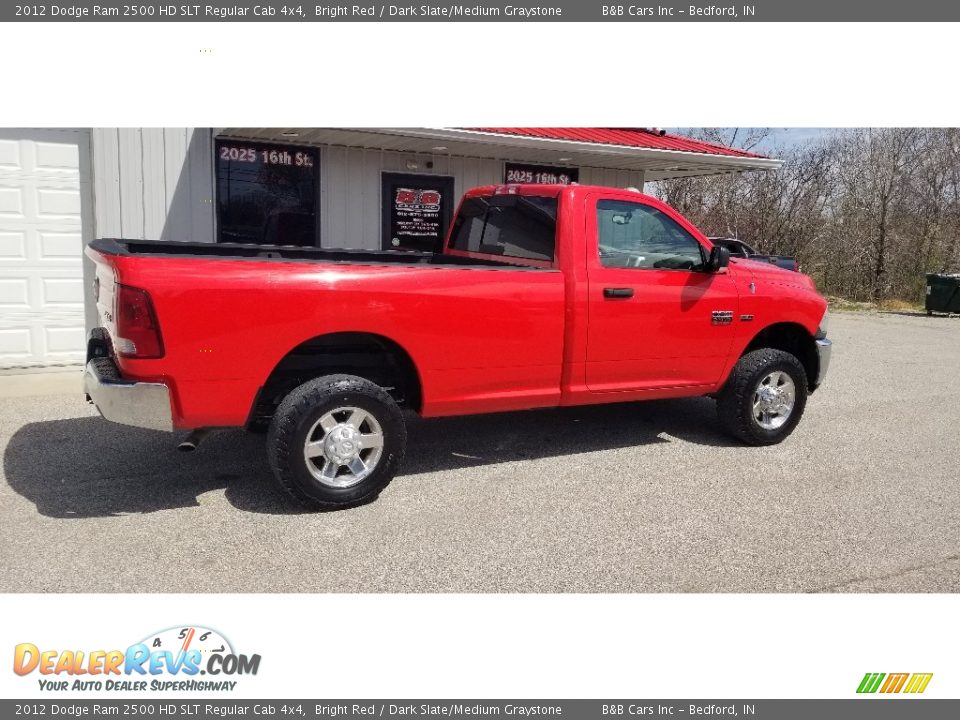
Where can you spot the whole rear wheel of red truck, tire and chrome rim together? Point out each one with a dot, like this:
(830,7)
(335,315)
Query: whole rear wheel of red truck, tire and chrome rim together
(341,417)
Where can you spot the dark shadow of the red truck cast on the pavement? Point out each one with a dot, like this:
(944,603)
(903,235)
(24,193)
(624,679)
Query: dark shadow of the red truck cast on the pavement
(87,467)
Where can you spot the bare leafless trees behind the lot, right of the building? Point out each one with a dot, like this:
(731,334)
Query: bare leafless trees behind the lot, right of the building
(866,211)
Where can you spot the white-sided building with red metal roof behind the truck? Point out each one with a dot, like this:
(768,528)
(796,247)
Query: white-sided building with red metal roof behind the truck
(331,187)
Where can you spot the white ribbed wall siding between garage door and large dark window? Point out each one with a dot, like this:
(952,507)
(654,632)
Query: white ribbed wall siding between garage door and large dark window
(153,183)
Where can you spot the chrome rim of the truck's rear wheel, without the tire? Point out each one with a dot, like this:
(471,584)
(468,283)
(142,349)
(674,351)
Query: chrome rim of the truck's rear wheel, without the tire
(343,447)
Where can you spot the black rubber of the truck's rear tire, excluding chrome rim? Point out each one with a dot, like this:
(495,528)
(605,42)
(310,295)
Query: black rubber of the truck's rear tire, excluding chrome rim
(299,413)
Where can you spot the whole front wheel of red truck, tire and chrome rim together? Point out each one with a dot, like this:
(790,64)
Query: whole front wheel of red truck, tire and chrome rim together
(737,402)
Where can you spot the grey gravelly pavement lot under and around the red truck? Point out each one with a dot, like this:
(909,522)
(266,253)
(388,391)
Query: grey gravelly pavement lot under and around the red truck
(649,497)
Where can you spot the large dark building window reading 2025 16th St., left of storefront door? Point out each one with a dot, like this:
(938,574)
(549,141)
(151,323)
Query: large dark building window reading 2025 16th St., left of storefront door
(267,193)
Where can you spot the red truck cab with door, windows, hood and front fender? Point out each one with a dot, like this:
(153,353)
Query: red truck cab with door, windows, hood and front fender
(654,307)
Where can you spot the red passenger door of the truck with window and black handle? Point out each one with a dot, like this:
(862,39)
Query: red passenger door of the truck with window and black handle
(656,317)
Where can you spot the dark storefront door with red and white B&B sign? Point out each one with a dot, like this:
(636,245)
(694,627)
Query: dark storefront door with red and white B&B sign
(416,211)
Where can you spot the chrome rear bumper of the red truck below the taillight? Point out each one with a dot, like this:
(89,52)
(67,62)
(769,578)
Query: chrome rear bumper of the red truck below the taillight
(145,405)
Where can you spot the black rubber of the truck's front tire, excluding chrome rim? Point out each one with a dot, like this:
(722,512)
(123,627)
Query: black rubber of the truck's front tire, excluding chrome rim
(735,401)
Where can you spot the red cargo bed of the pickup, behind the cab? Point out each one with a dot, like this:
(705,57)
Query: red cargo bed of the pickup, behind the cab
(229,314)
